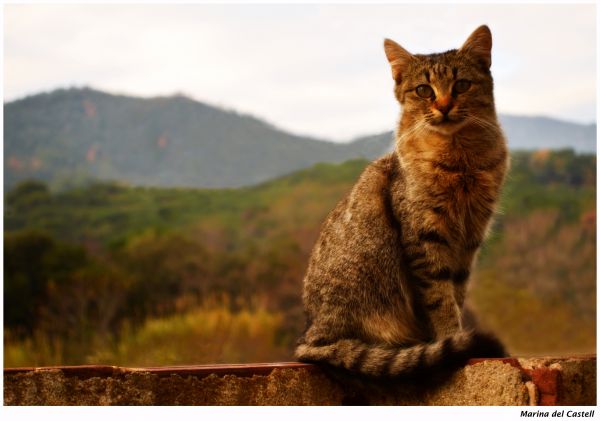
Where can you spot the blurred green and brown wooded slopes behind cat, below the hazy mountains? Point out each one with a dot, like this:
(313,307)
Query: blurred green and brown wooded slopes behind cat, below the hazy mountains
(136,276)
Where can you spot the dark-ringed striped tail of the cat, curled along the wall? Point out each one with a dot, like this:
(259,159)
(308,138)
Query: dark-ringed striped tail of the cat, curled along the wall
(388,361)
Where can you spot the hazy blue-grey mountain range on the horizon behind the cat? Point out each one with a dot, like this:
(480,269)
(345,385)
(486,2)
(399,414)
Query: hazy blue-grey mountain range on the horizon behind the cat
(71,135)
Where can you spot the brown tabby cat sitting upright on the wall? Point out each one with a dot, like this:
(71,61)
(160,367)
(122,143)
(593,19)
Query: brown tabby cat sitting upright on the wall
(385,286)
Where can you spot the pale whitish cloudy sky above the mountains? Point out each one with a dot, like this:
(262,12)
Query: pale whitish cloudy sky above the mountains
(311,69)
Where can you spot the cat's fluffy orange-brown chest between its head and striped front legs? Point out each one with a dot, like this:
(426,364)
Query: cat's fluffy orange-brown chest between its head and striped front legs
(452,184)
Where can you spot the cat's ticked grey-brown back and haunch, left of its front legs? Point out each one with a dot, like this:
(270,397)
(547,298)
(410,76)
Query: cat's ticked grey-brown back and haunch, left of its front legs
(355,281)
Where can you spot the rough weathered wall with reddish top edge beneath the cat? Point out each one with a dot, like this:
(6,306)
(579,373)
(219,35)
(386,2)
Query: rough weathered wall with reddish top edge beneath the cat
(510,381)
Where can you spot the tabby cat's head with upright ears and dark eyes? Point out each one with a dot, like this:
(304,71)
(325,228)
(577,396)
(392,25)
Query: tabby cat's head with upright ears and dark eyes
(445,91)
